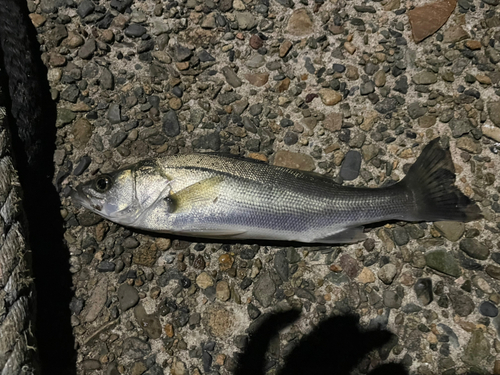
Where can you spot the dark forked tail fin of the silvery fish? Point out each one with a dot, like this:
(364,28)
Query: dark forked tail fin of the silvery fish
(431,180)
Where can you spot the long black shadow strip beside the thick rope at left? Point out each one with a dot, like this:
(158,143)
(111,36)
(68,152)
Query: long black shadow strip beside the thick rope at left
(32,116)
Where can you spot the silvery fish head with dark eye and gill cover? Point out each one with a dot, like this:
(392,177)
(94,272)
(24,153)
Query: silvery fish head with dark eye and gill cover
(122,196)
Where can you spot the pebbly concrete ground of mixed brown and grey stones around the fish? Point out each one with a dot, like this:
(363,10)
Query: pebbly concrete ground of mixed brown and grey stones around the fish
(337,87)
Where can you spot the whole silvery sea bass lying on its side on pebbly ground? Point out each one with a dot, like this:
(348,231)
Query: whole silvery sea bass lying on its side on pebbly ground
(215,196)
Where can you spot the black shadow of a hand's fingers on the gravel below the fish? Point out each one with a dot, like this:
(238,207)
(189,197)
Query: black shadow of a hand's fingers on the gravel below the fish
(336,346)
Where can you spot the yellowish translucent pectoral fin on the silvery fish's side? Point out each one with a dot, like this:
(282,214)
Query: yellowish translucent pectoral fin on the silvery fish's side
(204,192)
